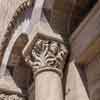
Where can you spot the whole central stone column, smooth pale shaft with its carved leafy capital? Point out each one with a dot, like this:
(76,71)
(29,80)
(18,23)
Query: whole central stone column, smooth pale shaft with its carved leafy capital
(47,58)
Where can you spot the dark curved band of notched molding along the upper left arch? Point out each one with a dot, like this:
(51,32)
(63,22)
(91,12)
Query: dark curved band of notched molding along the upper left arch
(13,24)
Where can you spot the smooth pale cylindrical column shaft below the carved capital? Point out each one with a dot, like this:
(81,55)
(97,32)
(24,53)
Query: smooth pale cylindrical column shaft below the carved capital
(48,86)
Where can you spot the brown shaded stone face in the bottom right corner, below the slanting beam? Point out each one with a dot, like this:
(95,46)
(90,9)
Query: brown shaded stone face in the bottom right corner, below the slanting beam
(93,78)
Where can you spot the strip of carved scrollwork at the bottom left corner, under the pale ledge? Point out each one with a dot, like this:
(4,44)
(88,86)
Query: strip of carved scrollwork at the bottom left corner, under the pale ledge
(10,97)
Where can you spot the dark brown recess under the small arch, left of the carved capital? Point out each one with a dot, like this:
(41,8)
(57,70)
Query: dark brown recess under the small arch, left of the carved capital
(19,71)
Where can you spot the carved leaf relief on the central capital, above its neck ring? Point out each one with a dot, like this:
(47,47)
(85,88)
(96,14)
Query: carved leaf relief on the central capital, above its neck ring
(47,53)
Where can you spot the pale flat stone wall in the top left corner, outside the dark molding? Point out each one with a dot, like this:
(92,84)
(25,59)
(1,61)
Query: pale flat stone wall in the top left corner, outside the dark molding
(7,9)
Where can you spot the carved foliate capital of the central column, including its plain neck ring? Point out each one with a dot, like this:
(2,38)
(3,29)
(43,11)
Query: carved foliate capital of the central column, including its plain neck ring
(46,54)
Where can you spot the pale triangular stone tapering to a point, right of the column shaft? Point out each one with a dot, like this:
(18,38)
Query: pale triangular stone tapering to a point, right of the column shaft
(75,89)
